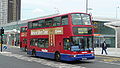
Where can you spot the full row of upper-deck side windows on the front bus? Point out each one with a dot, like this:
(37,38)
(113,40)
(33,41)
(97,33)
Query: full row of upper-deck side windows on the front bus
(49,22)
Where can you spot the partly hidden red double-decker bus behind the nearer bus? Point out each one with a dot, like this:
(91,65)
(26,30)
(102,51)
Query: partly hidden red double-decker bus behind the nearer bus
(23,38)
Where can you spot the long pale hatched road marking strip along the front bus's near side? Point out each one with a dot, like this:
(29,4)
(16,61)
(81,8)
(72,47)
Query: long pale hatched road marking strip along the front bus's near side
(41,61)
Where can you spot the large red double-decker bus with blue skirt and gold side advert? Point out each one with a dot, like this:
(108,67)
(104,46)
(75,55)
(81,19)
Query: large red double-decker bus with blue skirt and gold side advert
(67,37)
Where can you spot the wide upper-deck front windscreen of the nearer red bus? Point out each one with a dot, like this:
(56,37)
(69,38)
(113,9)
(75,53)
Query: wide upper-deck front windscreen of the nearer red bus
(80,19)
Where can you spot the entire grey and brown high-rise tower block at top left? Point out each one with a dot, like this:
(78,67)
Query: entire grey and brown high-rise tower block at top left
(10,11)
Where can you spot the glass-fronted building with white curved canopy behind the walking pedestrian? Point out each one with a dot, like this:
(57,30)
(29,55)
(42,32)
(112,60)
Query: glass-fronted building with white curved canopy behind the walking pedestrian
(103,31)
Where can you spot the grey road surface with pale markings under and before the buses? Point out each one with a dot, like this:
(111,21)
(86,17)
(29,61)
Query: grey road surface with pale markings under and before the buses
(22,57)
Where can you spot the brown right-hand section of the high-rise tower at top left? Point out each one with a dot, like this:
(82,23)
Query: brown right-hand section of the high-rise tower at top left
(14,8)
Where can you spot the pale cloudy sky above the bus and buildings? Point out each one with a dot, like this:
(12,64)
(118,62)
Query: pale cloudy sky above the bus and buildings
(100,8)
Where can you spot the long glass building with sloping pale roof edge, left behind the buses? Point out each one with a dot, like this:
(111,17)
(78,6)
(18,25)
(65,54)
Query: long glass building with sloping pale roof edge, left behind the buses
(12,30)
